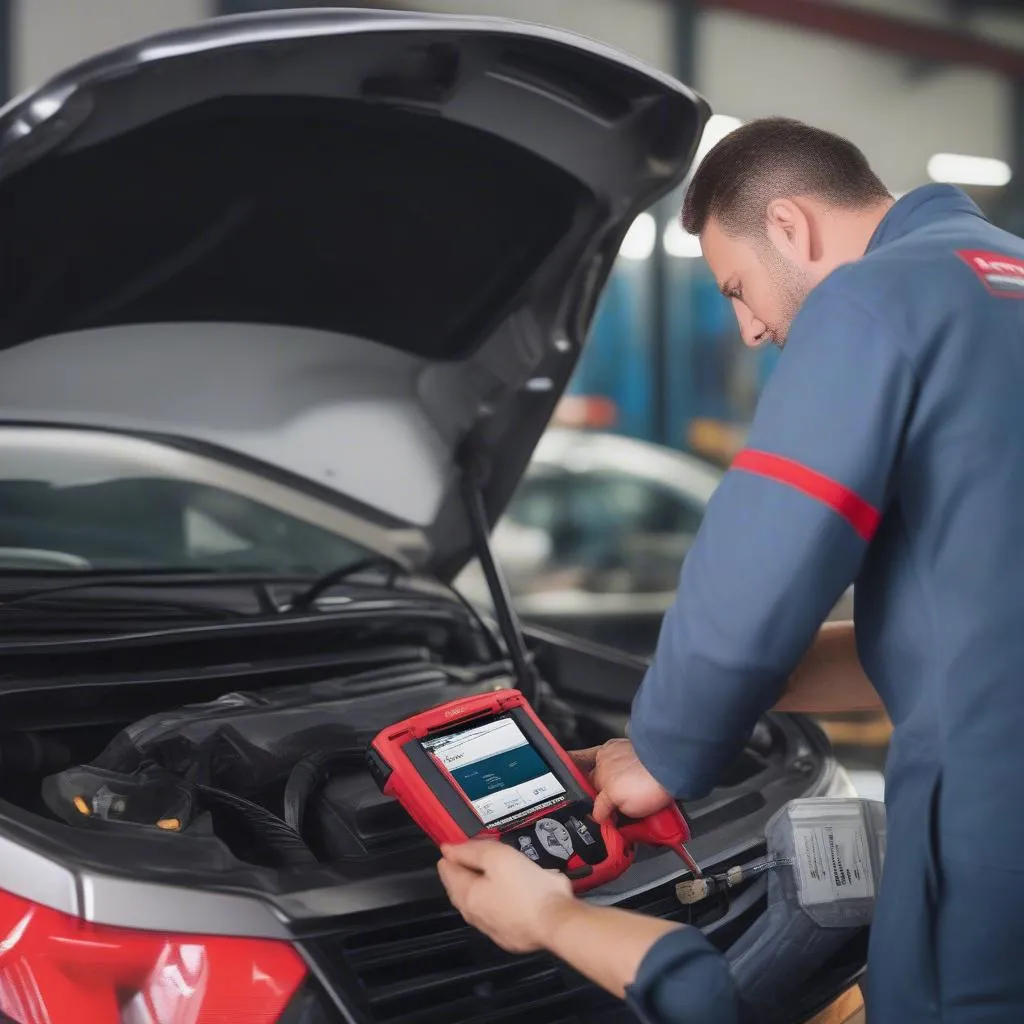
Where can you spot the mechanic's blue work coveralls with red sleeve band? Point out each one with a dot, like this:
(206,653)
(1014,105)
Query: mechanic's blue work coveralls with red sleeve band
(888,450)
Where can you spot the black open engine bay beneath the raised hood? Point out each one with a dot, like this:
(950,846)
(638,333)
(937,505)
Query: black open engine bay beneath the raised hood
(236,757)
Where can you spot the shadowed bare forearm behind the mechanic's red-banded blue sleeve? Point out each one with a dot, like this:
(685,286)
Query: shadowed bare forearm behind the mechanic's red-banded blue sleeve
(831,678)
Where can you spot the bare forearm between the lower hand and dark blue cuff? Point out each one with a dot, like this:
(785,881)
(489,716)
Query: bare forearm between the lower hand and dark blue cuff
(604,944)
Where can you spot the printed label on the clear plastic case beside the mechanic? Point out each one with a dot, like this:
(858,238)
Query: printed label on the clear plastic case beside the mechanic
(833,860)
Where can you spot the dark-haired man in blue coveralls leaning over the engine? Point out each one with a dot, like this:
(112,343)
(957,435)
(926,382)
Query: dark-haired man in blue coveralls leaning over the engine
(887,450)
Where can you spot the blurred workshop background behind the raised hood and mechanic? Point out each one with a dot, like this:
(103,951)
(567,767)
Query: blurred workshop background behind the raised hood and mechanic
(929,90)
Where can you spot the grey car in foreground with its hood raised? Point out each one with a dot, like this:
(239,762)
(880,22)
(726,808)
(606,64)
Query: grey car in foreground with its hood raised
(288,302)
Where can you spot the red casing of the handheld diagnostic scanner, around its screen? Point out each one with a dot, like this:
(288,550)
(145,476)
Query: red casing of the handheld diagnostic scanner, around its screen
(436,802)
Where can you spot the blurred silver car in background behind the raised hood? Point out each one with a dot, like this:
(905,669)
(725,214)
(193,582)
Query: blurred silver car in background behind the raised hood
(593,540)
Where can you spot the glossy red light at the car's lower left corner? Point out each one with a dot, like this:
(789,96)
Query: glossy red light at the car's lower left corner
(56,969)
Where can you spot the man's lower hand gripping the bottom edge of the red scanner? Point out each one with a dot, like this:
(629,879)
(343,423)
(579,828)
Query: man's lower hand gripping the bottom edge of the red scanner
(503,893)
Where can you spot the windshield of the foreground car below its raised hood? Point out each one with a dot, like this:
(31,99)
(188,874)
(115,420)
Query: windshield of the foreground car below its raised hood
(66,507)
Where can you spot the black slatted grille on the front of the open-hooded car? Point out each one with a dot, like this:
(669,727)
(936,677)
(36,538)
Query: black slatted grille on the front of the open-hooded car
(429,967)
